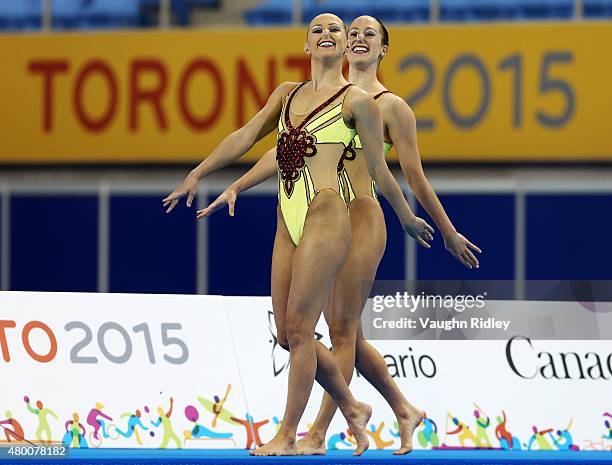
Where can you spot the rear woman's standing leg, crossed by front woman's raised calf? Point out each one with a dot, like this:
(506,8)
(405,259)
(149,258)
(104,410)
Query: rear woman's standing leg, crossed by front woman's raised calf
(348,296)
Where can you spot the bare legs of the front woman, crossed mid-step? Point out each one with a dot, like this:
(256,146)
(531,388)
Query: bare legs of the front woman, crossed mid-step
(315,263)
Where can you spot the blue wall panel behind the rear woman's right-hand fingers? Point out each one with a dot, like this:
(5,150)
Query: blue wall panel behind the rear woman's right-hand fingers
(487,220)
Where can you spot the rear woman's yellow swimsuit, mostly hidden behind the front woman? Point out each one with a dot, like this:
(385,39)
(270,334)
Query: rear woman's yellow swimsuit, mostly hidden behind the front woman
(353,176)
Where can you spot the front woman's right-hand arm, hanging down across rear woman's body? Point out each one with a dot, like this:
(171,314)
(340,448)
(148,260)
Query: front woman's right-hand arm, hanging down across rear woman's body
(368,122)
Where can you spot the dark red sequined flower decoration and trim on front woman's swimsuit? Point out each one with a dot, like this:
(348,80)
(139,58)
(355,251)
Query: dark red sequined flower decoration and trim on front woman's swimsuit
(294,143)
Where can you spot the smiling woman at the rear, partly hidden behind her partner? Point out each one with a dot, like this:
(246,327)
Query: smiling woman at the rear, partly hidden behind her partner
(367,45)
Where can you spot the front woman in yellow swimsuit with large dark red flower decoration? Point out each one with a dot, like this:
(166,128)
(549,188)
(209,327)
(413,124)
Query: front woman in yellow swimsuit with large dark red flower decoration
(316,121)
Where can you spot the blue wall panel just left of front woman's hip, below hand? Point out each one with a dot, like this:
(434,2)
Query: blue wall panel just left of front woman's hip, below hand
(240,248)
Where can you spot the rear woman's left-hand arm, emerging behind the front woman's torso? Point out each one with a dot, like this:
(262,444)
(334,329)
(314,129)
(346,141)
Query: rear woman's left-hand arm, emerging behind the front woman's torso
(263,169)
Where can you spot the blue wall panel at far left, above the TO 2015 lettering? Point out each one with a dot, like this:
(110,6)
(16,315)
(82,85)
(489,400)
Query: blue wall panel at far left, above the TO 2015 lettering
(54,243)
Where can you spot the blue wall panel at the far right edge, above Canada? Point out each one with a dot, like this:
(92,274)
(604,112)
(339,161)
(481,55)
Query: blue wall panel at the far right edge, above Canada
(568,237)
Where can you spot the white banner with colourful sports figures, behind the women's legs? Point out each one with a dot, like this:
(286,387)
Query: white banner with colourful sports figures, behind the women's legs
(218,360)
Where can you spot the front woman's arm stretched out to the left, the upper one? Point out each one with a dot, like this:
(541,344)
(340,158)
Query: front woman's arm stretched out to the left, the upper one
(232,147)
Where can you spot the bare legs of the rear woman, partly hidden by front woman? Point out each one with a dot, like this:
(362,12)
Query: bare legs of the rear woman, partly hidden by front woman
(353,283)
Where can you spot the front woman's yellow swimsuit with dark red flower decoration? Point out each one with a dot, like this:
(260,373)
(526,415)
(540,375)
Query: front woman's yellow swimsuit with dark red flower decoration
(296,152)
